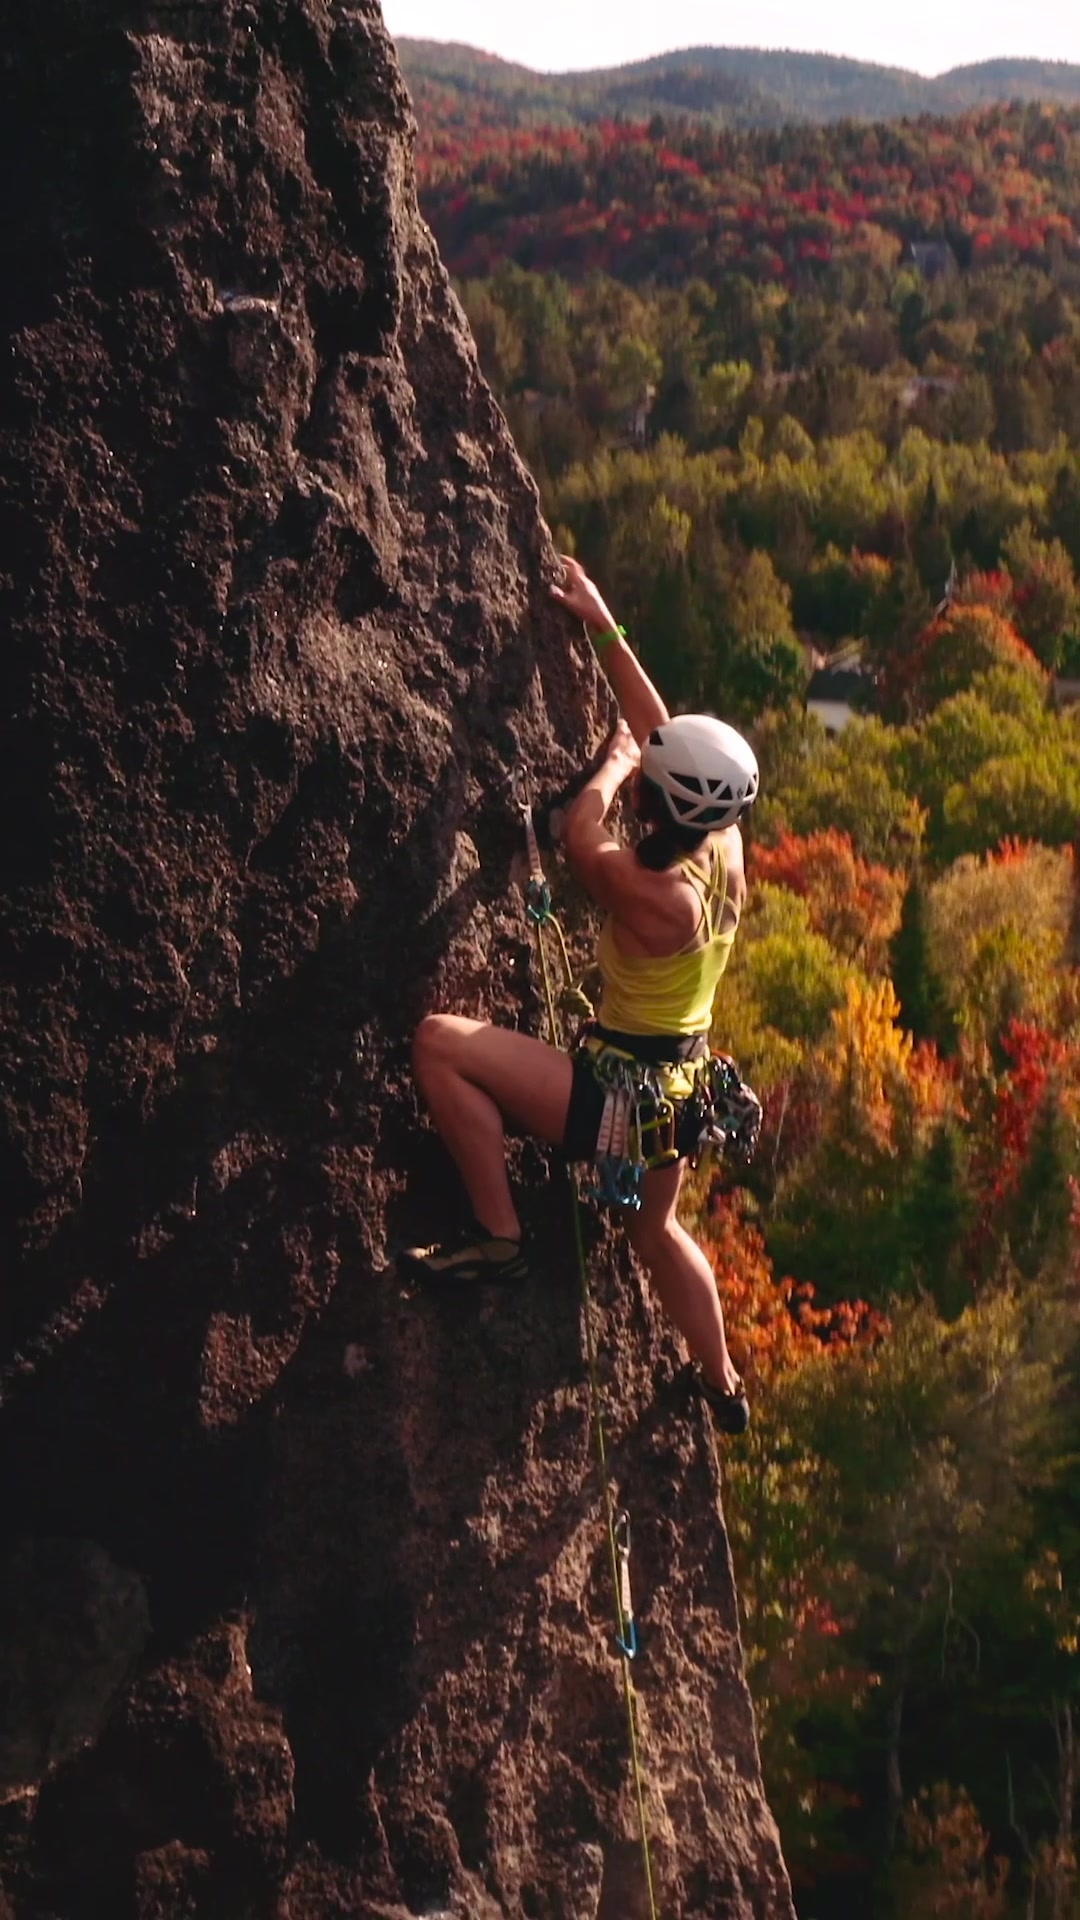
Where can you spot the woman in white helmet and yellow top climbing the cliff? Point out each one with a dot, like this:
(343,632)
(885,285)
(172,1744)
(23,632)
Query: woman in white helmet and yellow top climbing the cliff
(674,905)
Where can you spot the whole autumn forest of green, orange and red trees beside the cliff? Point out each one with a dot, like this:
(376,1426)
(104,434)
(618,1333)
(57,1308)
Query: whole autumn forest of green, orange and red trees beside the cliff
(812,398)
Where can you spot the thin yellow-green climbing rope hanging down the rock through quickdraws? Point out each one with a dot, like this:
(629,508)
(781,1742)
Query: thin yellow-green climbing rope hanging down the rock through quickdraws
(618,1522)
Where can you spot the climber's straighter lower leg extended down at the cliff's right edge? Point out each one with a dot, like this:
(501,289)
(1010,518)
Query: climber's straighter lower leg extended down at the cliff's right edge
(687,1287)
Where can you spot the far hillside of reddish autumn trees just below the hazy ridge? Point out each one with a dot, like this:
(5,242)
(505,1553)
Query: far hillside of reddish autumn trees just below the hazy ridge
(672,204)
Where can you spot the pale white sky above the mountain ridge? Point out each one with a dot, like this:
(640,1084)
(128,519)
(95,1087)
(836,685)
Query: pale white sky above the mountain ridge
(923,36)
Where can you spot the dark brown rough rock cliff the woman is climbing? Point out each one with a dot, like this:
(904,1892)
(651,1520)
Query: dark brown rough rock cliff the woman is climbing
(276,631)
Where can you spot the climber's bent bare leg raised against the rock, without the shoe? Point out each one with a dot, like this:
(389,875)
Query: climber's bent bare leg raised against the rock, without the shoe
(472,1078)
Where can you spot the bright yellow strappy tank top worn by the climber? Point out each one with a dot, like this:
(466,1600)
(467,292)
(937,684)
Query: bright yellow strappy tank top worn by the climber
(672,994)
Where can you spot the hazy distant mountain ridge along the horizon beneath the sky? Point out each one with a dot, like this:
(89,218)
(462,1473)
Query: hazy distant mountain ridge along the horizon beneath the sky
(731,87)
